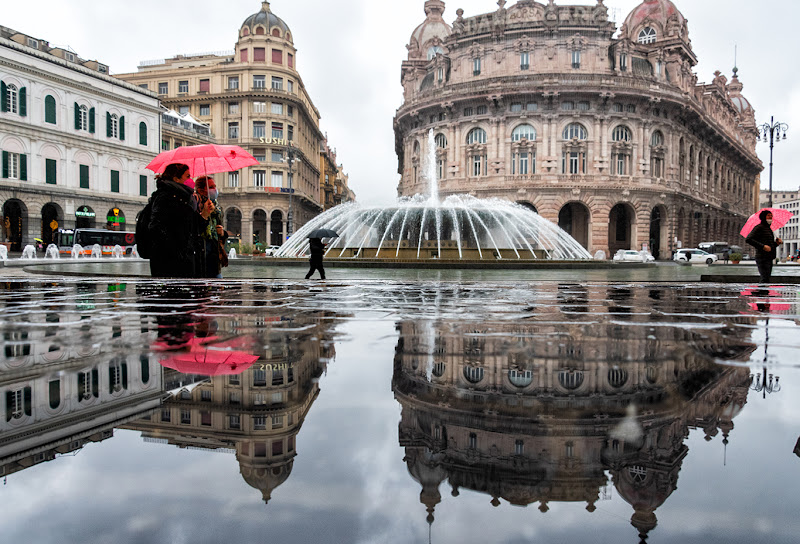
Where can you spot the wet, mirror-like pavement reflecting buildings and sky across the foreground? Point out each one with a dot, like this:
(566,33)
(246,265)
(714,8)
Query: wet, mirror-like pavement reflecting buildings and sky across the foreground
(410,409)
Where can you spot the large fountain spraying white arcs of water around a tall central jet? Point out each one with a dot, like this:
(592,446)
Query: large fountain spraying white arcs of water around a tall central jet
(460,227)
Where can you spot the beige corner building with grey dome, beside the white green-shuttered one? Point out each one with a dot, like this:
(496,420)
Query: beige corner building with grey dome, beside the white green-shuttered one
(253,97)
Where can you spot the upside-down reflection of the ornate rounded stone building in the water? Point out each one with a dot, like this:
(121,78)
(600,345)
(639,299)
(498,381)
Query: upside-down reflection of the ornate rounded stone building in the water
(562,407)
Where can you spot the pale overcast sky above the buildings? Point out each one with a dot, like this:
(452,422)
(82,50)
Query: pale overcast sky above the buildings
(349,55)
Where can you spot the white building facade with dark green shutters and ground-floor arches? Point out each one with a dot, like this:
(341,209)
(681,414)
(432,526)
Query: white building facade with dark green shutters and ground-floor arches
(75,142)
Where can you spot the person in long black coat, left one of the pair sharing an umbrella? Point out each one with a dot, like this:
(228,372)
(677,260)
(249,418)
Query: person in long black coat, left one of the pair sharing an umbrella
(174,225)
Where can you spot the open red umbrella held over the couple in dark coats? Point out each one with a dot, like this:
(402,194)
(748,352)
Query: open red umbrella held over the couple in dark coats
(204,159)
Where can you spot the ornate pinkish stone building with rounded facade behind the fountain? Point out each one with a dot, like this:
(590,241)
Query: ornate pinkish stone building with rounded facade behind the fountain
(609,134)
